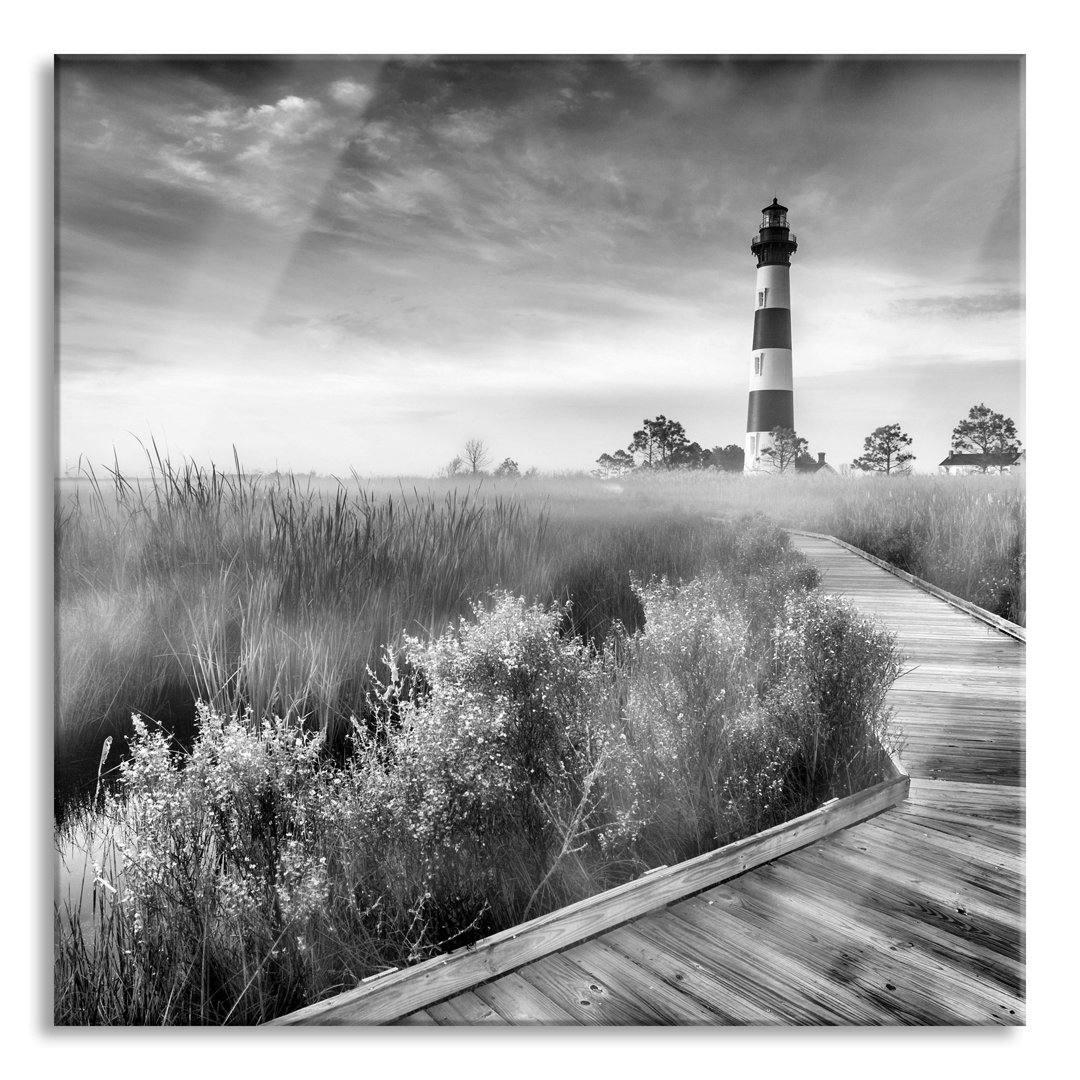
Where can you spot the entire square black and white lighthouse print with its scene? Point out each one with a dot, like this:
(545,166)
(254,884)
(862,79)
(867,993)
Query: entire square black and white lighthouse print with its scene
(539,541)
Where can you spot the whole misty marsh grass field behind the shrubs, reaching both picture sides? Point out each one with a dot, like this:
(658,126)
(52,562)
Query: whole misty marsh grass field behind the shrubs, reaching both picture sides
(280,595)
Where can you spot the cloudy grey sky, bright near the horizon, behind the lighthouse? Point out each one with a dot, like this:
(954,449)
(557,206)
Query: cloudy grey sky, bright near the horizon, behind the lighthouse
(361,264)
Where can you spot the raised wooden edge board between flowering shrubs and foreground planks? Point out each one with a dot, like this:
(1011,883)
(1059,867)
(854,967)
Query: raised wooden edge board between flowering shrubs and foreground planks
(399,993)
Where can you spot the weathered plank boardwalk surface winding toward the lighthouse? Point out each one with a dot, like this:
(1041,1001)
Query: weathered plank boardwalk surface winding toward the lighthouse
(914,916)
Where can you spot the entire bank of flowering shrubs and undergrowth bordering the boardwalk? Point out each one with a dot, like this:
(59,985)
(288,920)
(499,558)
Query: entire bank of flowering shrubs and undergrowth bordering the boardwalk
(523,771)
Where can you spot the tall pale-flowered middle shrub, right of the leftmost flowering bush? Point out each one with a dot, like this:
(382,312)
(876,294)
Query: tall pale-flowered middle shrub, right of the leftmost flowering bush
(491,773)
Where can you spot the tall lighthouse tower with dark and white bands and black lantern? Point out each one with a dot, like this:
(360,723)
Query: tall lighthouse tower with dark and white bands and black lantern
(771,373)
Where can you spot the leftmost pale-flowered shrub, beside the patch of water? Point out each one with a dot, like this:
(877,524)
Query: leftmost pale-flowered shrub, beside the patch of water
(222,867)
